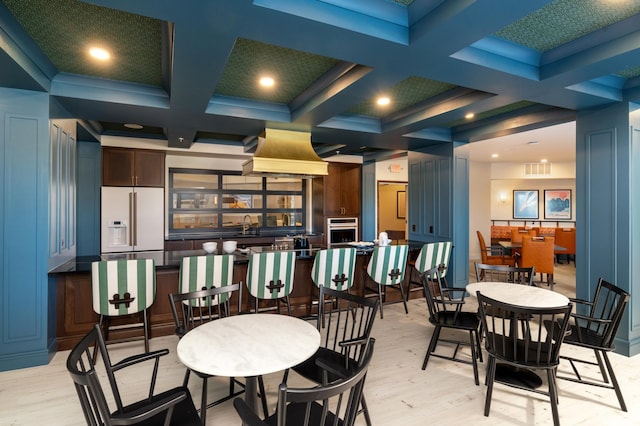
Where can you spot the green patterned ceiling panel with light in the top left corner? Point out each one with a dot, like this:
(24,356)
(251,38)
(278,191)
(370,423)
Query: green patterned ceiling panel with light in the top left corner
(65,29)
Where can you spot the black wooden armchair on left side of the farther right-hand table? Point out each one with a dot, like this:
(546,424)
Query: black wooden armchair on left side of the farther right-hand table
(445,311)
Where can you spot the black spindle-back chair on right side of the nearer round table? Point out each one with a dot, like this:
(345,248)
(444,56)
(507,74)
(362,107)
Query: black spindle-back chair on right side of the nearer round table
(345,325)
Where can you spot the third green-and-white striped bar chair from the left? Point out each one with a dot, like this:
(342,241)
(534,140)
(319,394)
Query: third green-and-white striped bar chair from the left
(270,277)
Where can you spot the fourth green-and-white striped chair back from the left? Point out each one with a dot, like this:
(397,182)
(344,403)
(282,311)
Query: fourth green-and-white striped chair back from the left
(334,268)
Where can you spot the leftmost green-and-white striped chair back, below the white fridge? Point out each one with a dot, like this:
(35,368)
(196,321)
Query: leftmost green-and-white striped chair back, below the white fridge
(122,287)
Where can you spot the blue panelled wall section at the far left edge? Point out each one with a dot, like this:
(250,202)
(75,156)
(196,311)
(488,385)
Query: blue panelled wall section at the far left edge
(25,338)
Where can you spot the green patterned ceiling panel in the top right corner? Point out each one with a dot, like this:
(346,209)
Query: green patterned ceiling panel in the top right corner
(563,21)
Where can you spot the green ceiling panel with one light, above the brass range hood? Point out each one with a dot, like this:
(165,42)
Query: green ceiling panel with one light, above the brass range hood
(292,70)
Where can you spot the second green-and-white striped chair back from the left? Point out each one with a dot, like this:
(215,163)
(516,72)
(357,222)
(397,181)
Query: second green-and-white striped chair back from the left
(204,272)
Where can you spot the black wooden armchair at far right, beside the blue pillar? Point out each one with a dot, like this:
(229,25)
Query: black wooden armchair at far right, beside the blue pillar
(596,329)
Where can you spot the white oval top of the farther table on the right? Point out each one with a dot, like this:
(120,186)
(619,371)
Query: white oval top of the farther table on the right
(518,294)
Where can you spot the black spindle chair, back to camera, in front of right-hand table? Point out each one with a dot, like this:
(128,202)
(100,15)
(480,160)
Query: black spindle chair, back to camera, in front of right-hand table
(516,336)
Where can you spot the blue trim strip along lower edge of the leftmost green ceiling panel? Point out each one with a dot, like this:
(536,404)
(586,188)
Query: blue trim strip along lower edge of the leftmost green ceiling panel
(83,87)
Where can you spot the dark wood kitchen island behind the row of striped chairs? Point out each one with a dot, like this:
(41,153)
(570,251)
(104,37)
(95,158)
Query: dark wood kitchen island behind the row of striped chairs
(72,286)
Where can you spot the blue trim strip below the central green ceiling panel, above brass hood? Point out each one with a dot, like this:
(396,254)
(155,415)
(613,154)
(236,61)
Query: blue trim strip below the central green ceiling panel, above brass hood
(236,107)
